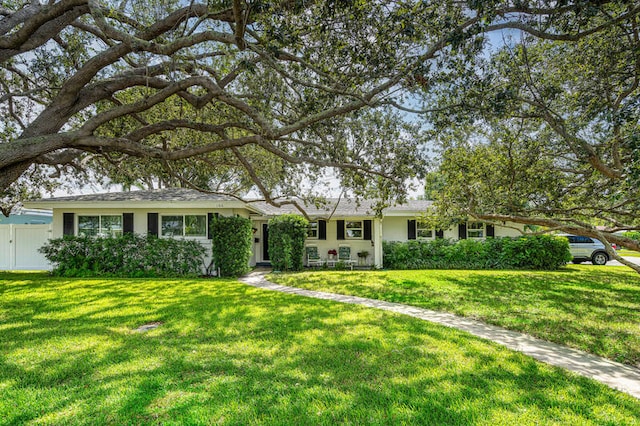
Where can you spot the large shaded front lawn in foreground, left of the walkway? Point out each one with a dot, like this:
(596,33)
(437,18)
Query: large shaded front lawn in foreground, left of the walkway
(227,353)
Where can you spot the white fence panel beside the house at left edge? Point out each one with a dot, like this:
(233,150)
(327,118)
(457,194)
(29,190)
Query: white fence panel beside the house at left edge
(19,246)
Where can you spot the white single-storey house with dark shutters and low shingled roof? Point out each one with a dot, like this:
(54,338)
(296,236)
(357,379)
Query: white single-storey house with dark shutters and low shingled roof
(185,213)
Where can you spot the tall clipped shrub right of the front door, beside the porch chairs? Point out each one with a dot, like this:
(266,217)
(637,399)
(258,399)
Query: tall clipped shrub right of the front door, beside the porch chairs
(287,234)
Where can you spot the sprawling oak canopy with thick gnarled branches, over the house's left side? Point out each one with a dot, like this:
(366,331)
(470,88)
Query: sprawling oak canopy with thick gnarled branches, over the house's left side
(226,95)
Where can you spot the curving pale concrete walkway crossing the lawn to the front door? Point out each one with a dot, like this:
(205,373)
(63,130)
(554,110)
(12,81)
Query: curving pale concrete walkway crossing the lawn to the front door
(613,374)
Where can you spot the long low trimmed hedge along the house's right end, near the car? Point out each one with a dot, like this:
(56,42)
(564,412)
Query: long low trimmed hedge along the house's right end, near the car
(543,252)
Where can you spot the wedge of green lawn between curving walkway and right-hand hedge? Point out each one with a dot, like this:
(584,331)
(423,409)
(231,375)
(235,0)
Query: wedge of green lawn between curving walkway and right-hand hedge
(596,309)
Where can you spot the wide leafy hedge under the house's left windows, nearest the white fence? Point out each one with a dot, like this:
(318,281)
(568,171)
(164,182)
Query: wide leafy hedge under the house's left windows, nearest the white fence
(129,255)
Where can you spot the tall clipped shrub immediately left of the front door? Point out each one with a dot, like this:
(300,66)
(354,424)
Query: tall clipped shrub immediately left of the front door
(231,245)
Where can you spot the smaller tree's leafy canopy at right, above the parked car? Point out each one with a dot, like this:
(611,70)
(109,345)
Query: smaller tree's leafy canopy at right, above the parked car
(546,133)
